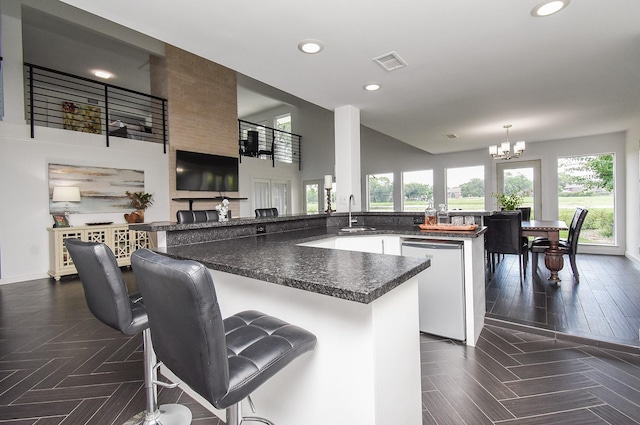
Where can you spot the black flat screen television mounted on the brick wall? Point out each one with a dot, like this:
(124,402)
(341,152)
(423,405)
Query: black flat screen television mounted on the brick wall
(206,172)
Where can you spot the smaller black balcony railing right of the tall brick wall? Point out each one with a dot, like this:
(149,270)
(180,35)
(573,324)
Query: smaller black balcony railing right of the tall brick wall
(269,143)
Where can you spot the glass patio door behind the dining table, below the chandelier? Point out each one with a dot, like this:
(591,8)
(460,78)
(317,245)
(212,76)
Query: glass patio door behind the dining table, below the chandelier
(524,177)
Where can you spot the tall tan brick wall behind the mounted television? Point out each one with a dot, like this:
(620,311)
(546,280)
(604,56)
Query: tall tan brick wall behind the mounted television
(202,114)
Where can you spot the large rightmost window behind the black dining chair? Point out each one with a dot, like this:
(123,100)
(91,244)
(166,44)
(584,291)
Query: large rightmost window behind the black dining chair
(588,182)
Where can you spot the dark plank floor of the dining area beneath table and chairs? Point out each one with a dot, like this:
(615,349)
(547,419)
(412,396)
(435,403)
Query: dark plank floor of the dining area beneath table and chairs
(604,305)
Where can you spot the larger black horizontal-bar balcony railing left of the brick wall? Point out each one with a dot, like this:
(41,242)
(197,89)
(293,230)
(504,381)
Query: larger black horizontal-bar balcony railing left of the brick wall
(60,100)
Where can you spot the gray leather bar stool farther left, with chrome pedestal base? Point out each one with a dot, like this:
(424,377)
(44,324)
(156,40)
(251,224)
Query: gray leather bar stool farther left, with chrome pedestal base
(106,294)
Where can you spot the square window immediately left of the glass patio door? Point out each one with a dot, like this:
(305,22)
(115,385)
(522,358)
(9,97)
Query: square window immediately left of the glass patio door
(465,188)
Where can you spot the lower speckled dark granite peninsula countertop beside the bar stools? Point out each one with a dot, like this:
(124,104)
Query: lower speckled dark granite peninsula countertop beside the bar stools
(276,258)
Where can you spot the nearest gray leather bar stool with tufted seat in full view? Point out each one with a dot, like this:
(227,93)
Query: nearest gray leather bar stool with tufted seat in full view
(224,361)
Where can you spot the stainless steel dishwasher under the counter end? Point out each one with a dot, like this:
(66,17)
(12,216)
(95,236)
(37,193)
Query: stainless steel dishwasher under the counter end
(441,286)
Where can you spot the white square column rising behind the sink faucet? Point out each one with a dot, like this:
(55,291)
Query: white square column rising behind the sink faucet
(347,157)
